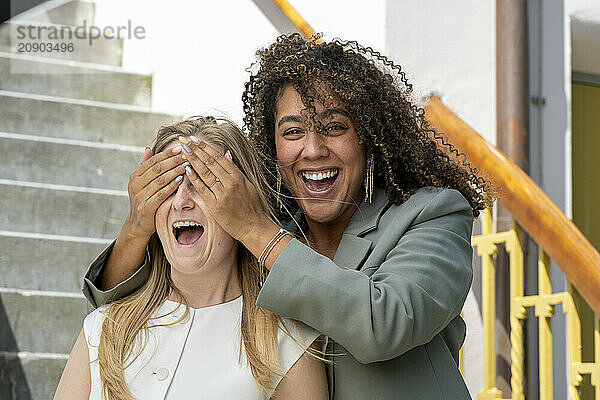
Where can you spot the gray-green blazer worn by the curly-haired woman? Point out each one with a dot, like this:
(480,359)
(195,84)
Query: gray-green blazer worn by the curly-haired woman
(389,301)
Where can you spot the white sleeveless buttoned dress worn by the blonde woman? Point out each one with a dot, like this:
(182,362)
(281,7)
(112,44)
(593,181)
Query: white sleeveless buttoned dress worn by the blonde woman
(198,358)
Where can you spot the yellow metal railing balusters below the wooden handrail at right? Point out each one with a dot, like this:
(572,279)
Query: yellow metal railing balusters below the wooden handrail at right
(543,303)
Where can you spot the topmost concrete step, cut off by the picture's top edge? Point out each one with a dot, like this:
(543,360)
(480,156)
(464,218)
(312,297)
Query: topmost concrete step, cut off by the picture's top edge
(68,13)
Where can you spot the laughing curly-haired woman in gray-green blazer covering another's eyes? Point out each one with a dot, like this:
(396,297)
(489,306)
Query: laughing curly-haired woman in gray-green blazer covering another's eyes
(379,255)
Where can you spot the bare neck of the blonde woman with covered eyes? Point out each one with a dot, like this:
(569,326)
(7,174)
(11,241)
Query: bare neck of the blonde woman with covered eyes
(212,284)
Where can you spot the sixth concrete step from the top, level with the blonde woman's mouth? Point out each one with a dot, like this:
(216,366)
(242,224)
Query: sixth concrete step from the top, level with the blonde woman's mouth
(62,210)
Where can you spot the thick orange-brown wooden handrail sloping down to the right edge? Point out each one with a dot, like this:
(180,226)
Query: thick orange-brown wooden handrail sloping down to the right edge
(527,203)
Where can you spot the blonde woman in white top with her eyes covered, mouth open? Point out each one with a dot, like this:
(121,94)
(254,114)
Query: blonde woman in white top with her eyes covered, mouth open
(193,329)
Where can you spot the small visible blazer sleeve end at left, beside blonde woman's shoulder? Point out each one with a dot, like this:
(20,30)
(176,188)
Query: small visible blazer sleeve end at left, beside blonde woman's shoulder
(98,297)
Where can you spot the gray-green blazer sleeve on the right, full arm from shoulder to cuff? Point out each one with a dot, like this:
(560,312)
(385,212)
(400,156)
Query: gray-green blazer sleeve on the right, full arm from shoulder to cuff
(412,295)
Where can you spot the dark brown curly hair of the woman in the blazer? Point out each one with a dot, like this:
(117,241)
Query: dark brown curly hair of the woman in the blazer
(408,152)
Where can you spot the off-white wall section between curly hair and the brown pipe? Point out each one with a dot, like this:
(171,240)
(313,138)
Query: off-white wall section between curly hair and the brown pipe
(448,49)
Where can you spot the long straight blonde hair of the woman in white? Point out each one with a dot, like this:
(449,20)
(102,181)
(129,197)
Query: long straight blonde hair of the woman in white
(128,320)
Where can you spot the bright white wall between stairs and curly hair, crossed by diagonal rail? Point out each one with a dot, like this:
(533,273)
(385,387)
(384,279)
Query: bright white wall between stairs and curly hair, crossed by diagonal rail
(198,50)
